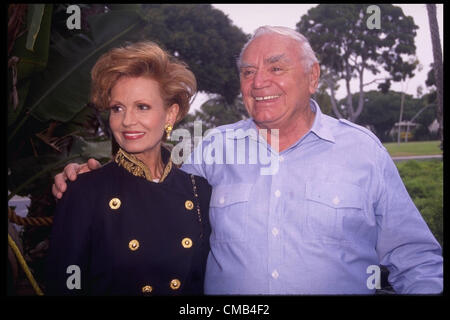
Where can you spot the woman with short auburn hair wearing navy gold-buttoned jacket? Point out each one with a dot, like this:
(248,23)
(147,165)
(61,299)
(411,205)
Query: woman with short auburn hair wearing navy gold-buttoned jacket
(138,225)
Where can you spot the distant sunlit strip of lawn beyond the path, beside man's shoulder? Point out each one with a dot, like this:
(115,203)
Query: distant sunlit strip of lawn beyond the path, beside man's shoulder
(420,148)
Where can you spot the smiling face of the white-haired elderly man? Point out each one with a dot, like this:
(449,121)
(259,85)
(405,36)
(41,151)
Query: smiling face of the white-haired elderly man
(274,82)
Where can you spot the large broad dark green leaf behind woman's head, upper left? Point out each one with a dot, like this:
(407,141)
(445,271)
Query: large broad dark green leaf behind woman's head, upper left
(63,89)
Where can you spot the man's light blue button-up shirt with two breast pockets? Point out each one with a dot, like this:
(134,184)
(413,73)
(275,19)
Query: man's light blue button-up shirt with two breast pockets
(333,210)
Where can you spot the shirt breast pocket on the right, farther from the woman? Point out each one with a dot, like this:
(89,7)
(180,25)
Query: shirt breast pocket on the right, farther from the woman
(335,211)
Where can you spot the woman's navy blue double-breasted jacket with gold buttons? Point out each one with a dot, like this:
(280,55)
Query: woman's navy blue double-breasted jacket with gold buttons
(154,242)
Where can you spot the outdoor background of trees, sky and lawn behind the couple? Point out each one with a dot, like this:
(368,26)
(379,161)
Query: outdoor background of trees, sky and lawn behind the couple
(380,69)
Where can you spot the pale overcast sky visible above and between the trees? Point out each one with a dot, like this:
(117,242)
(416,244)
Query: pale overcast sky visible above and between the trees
(249,17)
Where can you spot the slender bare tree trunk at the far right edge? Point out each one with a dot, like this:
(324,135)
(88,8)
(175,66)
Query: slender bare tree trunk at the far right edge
(437,64)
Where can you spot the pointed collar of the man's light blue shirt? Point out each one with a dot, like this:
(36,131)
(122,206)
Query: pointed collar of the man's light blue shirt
(319,127)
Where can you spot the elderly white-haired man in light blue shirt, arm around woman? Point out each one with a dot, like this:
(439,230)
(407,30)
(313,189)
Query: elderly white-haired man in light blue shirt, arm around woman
(334,209)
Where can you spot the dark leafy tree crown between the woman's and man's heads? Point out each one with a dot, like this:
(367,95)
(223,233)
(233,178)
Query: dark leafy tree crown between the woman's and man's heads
(201,36)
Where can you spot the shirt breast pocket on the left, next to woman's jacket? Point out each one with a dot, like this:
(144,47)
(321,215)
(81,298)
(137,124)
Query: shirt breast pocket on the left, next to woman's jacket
(228,212)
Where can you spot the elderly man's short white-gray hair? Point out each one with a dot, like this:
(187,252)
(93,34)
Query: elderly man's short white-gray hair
(308,55)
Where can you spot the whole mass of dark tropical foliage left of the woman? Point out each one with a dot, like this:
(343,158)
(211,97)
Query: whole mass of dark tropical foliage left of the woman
(56,94)
